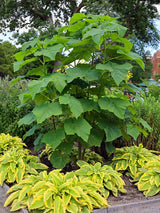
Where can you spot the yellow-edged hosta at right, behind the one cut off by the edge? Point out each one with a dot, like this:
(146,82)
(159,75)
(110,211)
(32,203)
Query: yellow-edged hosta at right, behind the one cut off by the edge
(129,159)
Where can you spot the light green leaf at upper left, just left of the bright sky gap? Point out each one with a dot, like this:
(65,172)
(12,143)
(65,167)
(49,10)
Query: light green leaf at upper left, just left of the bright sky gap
(50,51)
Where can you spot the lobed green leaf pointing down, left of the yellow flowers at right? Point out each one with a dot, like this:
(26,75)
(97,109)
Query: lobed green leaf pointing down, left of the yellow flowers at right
(118,71)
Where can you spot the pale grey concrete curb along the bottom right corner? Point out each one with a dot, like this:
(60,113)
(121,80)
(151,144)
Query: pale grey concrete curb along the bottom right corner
(147,206)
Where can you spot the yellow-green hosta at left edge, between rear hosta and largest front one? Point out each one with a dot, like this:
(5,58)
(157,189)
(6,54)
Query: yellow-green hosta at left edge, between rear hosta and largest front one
(15,164)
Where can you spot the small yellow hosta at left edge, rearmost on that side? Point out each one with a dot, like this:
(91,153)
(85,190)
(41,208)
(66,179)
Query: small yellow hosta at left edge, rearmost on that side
(7,142)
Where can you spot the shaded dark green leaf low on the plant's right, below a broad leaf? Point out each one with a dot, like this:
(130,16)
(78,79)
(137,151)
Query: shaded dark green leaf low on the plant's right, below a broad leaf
(111,128)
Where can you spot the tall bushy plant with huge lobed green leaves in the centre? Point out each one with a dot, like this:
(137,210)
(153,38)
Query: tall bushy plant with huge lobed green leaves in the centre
(75,101)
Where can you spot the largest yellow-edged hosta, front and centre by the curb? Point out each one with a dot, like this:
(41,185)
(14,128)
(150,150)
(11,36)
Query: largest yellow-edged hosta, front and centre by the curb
(56,193)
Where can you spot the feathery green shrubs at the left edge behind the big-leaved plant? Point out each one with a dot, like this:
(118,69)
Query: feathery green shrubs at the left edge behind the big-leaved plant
(9,113)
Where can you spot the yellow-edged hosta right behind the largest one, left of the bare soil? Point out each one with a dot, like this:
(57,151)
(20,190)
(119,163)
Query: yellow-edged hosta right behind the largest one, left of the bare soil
(104,175)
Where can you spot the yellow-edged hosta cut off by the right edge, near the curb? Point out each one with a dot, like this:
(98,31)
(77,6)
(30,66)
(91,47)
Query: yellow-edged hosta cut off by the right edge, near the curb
(149,178)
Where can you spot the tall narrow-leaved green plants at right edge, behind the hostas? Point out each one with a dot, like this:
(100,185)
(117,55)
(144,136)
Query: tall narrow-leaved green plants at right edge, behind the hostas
(149,110)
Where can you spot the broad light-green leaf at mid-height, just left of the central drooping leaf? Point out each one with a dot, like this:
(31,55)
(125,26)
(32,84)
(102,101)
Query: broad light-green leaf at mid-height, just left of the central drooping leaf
(44,111)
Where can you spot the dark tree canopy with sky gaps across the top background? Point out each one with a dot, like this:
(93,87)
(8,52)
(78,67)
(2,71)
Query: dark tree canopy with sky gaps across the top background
(137,16)
